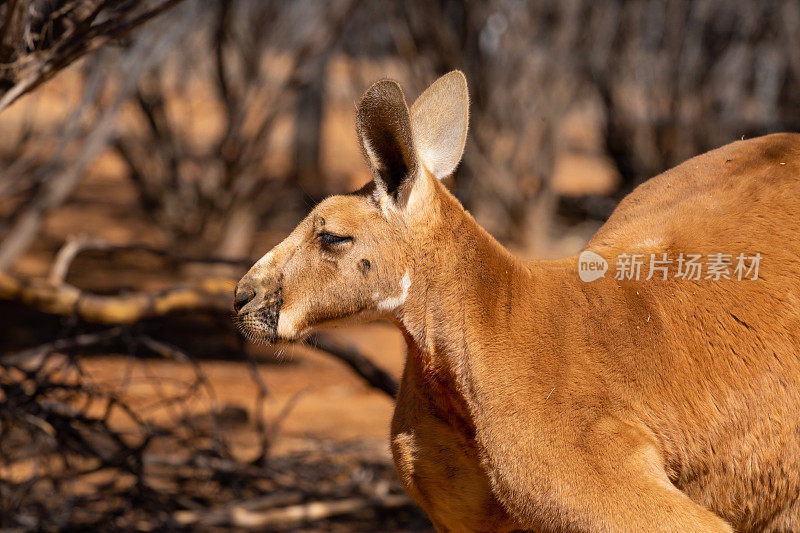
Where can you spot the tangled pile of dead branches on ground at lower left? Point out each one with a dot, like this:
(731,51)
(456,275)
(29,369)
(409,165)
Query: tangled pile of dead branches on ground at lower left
(55,437)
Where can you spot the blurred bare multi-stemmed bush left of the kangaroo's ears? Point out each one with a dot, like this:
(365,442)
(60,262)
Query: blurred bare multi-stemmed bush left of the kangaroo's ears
(211,196)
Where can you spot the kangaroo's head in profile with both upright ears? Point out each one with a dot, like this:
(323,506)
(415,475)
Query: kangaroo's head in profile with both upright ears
(352,258)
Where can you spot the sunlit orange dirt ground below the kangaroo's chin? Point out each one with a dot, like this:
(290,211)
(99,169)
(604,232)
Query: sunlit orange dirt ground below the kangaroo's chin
(329,402)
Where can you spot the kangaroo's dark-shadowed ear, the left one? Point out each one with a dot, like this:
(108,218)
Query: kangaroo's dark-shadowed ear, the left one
(384,130)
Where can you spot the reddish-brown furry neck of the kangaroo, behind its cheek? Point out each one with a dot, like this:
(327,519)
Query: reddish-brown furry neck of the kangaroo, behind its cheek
(466,295)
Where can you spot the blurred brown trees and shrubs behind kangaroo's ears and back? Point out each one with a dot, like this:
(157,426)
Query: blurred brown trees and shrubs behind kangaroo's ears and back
(231,115)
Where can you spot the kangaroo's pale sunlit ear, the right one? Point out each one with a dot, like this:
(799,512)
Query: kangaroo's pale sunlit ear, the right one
(439,120)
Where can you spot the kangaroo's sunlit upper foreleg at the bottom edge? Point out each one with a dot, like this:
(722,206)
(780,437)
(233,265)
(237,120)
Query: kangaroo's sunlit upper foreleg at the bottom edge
(609,479)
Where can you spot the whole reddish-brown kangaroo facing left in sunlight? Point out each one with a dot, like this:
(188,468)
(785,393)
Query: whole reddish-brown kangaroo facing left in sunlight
(533,400)
